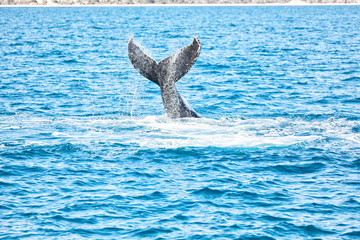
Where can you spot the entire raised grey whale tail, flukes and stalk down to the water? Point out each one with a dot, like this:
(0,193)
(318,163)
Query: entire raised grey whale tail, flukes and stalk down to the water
(166,73)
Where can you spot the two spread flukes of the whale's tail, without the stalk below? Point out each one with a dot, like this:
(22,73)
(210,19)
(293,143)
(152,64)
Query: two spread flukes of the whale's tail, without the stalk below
(172,68)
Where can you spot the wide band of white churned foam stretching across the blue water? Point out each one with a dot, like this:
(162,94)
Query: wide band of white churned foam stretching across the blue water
(162,132)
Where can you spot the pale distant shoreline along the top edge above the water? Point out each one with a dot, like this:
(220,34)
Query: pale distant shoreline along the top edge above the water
(171,2)
